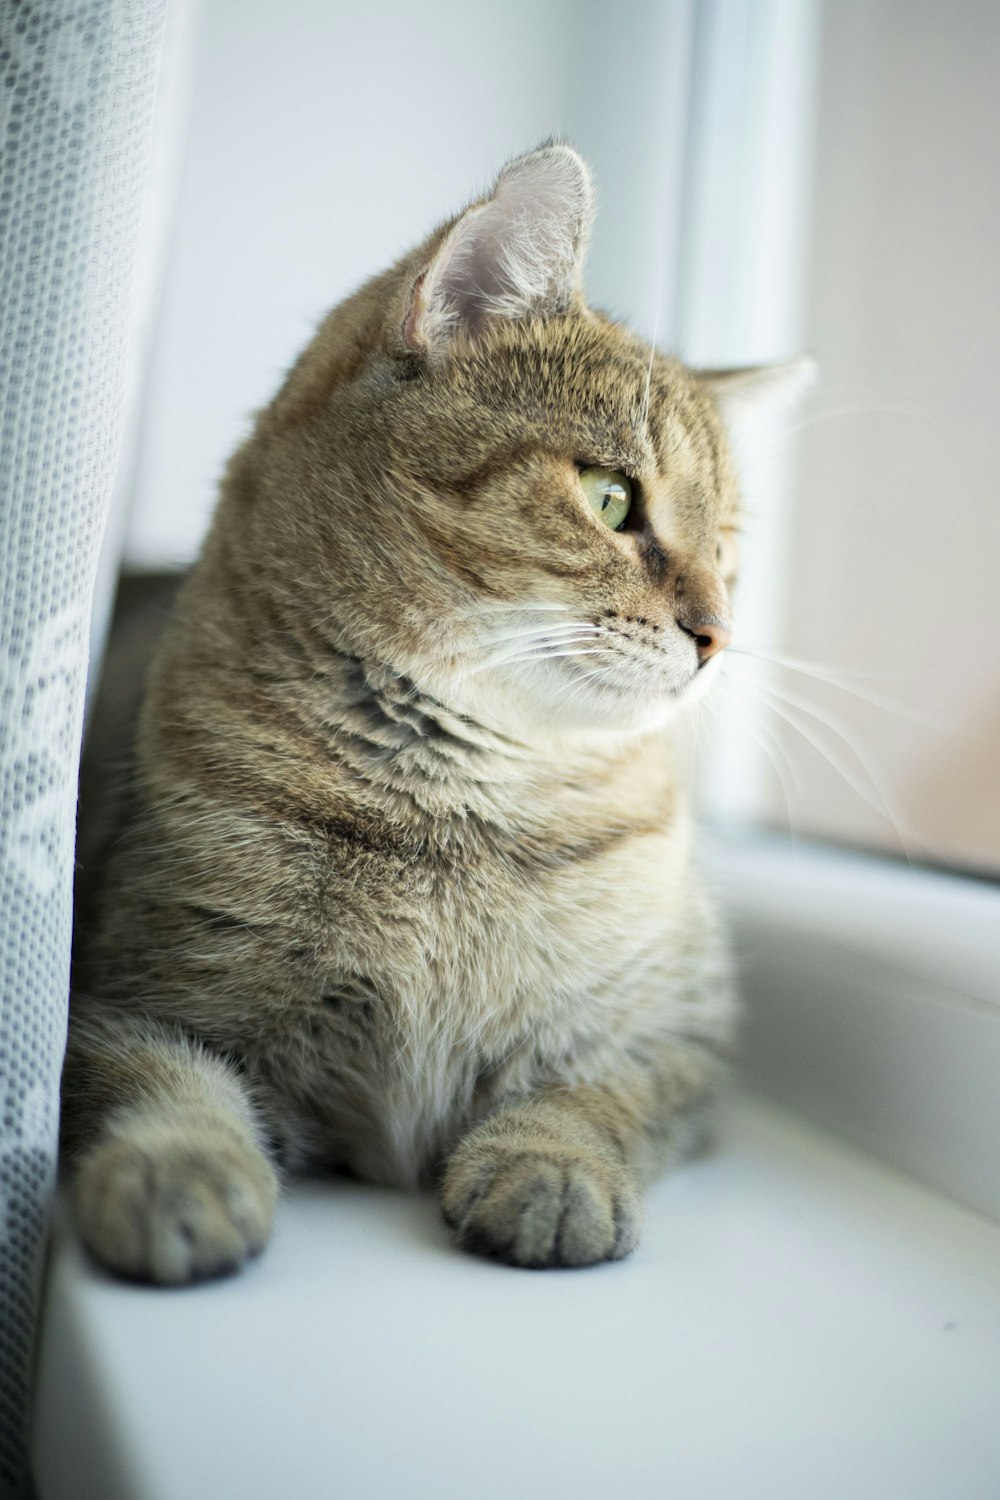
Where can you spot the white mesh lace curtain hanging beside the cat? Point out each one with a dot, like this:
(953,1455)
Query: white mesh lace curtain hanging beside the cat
(77,95)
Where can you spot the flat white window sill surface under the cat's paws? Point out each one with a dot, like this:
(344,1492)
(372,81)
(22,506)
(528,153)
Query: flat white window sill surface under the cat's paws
(800,1321)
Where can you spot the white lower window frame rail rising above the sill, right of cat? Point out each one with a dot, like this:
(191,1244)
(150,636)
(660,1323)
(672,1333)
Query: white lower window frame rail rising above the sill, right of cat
(873,1004)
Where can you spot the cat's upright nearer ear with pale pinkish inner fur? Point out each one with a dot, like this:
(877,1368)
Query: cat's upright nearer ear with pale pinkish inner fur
(515,254)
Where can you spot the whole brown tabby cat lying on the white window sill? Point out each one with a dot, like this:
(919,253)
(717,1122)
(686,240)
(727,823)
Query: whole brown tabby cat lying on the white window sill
(404,880)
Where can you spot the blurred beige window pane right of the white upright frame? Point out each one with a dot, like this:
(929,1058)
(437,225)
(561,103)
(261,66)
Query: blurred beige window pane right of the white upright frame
(897,518)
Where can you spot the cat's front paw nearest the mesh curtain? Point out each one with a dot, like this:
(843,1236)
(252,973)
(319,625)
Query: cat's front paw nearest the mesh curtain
(175,1199)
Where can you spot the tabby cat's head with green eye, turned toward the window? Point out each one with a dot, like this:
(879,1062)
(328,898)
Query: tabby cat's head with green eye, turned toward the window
(473,478)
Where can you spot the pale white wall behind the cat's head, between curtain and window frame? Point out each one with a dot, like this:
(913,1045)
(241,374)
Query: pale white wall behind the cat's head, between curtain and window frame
(328,137)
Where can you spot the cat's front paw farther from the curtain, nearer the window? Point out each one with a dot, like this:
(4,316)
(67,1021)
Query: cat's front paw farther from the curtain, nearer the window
(539,1204)
